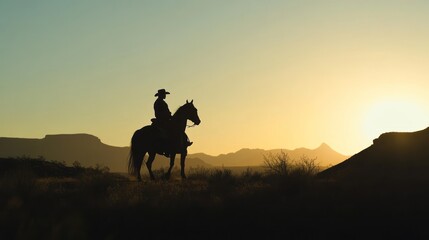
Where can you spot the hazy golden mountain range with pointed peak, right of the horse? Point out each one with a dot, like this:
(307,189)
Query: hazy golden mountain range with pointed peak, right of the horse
(324,155)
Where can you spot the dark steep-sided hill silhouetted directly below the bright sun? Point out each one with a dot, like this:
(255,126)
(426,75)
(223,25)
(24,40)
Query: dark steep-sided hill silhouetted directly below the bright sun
(394,156)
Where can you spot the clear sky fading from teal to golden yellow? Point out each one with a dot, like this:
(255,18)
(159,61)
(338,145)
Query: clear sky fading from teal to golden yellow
(262,74)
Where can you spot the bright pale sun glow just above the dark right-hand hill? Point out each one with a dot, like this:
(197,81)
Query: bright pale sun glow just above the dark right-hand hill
(394,116)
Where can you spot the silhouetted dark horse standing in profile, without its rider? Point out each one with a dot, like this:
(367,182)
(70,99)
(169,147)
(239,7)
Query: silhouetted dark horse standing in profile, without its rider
(147,140)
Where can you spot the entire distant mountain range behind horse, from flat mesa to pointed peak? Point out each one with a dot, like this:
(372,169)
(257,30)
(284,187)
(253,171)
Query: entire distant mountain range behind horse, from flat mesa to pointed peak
(90,151)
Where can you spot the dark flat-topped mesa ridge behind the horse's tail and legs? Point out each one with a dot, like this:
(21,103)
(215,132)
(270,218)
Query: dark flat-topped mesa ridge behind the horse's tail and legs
(84,148)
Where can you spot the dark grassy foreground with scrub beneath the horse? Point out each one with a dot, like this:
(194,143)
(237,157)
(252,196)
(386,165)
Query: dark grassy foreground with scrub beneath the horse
(48,200)
